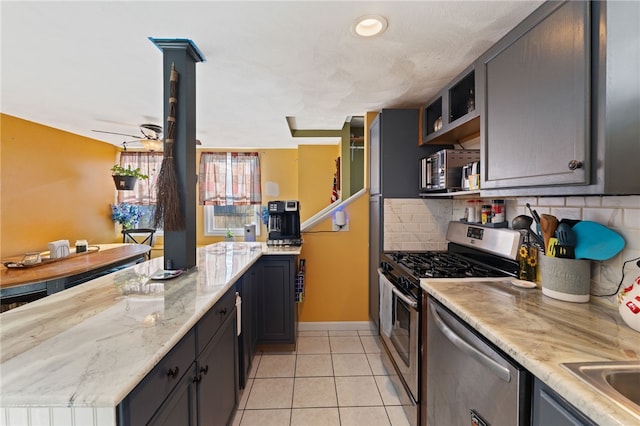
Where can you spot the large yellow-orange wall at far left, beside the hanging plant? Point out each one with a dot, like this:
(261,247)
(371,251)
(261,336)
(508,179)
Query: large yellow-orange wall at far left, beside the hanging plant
(54,185)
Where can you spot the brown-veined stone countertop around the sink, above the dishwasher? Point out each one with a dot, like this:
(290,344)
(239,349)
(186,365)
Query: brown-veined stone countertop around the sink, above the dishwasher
(540,333)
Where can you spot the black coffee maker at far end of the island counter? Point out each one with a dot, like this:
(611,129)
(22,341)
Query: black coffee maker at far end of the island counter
(284,223)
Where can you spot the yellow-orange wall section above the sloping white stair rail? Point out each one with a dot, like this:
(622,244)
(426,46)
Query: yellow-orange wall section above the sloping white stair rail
(315,177)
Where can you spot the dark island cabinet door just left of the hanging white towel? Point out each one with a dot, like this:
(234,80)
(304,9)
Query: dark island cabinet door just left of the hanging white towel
(217,376)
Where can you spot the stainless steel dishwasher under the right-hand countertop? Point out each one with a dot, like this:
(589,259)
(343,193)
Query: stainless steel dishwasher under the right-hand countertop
(469,381)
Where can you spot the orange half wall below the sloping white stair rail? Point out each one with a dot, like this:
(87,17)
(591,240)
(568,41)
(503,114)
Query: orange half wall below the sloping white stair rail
(336,284)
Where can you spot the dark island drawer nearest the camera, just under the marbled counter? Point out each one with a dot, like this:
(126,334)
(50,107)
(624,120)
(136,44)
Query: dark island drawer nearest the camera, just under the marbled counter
(148,396)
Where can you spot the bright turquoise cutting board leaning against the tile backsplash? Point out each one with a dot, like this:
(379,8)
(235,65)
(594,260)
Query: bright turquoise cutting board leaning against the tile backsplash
(596,242)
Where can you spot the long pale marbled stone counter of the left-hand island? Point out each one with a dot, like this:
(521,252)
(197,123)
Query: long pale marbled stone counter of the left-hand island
(72,357)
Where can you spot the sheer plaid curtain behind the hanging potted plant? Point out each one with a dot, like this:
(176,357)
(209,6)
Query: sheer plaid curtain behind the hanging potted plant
(144,193)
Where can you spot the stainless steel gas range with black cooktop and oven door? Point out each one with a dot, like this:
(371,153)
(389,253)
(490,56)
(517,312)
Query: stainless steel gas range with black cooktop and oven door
(473,252)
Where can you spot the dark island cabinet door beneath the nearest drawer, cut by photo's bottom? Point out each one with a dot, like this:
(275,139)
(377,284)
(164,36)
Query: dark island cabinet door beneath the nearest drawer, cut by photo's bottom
(180,407)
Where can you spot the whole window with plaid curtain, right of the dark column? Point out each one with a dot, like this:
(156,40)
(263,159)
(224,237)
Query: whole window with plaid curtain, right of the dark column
(230,191)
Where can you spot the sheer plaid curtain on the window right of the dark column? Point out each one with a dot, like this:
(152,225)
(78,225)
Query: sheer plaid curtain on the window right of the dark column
(230,179)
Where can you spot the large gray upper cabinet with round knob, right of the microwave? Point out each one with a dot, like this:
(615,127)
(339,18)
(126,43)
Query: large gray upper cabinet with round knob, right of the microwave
(559,101)
